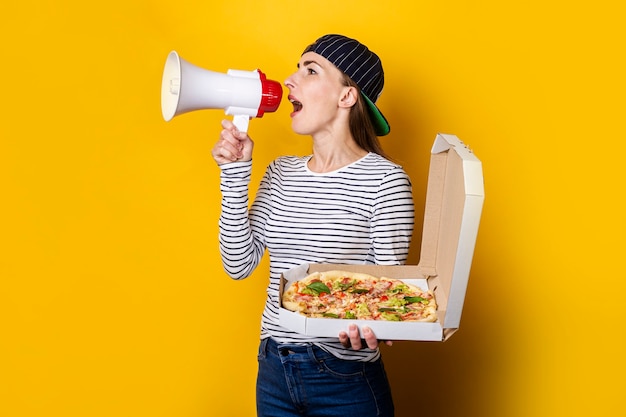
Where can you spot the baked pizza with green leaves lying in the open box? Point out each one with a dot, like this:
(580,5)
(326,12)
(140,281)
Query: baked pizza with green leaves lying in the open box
(354,295)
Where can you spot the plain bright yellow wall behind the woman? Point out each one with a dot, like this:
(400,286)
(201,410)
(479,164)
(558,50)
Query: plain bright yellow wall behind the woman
(109,260)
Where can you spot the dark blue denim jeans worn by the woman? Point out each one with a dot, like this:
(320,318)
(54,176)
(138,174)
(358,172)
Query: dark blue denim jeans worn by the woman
(296,380)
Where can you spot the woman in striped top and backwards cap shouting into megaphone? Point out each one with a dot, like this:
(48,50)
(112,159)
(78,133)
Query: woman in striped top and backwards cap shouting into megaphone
(344,203)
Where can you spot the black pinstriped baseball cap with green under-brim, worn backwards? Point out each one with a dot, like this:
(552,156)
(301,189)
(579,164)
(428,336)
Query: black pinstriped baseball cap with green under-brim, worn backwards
(360,64)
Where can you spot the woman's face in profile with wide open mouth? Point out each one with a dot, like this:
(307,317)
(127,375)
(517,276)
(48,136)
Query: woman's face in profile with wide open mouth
(316,91)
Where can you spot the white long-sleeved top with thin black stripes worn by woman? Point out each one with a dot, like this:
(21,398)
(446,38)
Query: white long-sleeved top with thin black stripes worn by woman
(359,214)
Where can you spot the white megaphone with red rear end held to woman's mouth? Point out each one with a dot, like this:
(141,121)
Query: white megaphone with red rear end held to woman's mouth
(242,94)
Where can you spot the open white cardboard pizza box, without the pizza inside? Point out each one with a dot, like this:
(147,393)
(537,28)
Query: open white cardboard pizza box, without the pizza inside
(454,201)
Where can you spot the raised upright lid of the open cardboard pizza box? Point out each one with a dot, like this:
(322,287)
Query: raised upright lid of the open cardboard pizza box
(455,193)
